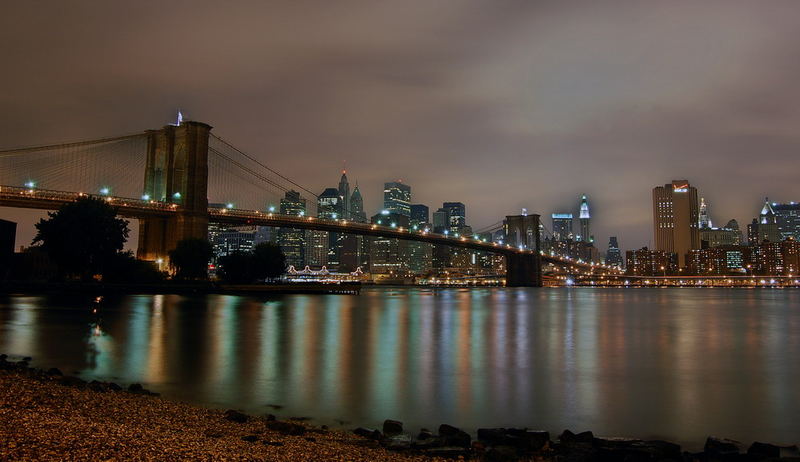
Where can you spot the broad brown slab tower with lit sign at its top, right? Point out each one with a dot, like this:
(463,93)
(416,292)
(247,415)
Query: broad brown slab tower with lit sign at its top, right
(676,217)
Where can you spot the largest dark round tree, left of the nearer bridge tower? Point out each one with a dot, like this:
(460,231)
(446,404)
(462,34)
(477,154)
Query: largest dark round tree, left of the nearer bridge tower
(82,236)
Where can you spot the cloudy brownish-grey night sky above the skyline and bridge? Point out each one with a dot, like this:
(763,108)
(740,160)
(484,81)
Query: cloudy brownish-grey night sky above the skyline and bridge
(498,104)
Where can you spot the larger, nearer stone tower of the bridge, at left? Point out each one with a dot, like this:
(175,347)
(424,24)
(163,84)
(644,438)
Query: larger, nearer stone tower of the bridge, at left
(176,172)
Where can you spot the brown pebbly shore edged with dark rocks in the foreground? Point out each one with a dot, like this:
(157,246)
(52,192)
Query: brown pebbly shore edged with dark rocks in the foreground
(45,415)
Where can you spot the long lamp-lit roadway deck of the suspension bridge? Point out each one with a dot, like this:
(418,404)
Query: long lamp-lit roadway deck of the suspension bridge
(42,199)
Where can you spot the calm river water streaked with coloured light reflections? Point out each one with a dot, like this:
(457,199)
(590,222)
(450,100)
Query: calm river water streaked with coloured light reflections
(669,363)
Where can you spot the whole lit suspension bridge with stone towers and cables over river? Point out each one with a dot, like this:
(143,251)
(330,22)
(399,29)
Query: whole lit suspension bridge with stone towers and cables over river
(178,179)
